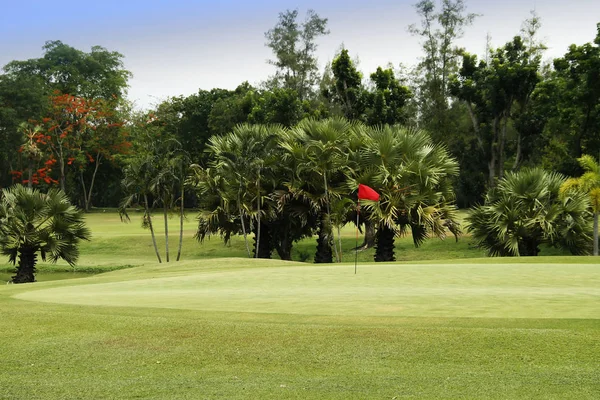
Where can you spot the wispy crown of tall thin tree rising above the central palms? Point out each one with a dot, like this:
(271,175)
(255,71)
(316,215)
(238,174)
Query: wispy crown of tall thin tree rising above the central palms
(294,45)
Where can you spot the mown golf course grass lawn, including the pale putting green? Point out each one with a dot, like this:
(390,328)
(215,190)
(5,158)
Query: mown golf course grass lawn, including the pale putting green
(212,327)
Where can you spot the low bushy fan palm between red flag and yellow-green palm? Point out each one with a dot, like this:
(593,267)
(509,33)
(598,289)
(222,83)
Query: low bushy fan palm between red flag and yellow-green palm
(526,210)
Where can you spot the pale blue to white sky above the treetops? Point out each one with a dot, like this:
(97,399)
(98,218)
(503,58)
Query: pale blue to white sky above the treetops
(178,47)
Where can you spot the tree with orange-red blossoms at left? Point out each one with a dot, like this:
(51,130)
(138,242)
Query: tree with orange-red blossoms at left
(77,135)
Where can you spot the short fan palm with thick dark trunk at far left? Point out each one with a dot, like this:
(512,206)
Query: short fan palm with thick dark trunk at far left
(33,222)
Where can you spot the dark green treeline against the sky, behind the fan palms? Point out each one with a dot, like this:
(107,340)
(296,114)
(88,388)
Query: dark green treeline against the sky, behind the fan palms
(65,120)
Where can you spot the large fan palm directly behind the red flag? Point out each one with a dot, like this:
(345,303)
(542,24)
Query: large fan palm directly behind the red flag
(413,177)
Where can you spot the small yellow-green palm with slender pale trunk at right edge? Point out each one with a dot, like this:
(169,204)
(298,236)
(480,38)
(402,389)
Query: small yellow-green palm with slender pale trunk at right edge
(589,183)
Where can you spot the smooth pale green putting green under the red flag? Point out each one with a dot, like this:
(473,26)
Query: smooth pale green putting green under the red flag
(470,290)
